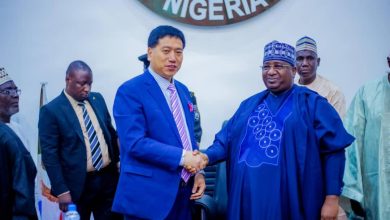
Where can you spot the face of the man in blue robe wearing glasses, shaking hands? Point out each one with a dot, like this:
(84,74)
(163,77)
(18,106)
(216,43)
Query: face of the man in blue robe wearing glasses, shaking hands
(278,76)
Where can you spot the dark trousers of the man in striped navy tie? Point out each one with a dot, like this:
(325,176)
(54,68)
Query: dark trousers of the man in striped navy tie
(98,195)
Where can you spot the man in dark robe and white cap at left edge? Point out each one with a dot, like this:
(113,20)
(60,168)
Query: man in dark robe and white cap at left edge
(17,166)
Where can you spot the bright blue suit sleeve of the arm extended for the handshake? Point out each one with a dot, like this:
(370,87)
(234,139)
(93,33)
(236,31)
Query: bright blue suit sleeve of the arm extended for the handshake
(135,135)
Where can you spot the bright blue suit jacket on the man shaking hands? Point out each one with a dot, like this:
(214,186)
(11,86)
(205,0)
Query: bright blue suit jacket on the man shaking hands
(150,146)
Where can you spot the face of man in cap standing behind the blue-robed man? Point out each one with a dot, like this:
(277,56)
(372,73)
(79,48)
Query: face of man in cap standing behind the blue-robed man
(307,63)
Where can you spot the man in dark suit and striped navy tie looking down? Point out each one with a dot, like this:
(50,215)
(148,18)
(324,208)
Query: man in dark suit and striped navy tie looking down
(79,146)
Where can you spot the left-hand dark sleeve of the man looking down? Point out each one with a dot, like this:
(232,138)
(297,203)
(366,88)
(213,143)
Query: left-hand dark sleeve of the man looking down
(49,137)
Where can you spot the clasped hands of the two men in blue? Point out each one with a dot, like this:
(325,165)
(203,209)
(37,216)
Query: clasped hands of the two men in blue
(195,161)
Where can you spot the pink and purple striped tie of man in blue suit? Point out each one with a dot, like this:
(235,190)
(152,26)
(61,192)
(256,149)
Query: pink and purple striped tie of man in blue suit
(176,111)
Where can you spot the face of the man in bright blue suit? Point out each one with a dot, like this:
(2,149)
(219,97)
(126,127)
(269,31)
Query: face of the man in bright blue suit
(166,57)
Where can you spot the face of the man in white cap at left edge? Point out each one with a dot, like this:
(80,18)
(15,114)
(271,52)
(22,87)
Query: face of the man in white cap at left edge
(9,99)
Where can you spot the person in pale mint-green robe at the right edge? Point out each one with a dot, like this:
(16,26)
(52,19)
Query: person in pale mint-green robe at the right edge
(367,173)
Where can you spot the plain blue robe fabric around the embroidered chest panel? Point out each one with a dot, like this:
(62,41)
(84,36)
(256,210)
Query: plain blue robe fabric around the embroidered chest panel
(311,160)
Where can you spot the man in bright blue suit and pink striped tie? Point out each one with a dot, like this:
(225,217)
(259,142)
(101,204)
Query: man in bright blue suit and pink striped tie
(155,122)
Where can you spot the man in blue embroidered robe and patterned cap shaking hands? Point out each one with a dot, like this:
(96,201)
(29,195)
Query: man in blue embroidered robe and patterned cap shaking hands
(284,148)
